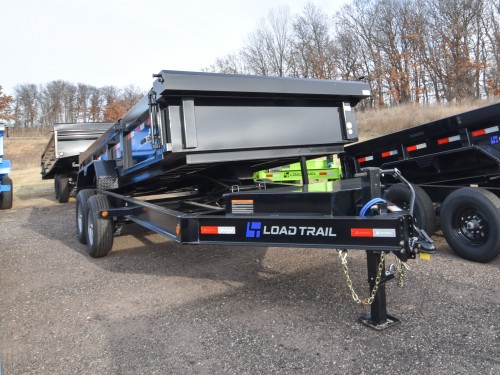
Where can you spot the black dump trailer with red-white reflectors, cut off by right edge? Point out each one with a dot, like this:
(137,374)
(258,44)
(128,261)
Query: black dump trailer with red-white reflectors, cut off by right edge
(454,164)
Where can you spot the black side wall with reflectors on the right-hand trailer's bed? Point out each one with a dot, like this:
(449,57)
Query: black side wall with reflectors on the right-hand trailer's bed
(460,148)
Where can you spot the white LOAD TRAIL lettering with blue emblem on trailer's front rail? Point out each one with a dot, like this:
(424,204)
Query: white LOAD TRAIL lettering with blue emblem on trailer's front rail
(255,229)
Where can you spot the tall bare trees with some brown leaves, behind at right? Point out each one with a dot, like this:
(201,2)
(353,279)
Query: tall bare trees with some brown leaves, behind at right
(409,51)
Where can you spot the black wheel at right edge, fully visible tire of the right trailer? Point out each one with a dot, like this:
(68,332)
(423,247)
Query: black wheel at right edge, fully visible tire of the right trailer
(470,219)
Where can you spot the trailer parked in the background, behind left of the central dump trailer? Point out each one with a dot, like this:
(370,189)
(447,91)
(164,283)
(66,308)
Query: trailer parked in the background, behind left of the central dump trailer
(59,161)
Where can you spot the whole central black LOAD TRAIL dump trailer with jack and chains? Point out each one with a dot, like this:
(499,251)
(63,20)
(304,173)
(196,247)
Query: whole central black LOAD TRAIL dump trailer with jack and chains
(181,162)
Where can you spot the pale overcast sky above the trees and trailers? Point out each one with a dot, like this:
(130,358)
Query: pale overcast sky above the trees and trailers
(122,42)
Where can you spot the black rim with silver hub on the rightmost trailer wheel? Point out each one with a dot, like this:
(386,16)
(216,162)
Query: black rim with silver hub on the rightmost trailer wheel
(470,225)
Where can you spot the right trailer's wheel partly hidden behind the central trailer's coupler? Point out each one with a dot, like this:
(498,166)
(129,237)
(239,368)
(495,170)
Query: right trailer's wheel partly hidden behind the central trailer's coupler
(424,214)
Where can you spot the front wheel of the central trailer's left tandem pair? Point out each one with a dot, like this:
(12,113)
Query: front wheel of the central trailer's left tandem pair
(99,229)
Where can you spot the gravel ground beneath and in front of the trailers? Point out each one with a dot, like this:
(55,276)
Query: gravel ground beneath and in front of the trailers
(155,307)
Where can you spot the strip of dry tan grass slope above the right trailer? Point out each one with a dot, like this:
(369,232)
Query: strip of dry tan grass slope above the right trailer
(373,123)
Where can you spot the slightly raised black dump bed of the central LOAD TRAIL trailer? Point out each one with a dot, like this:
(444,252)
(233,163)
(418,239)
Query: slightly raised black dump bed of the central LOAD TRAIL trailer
(222,127)
